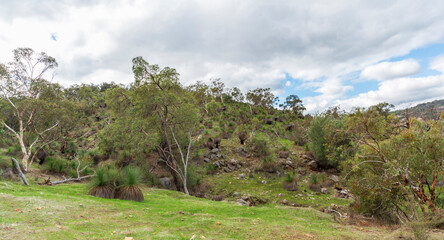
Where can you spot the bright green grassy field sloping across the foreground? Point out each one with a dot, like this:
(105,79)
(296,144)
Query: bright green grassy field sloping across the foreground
(66,212)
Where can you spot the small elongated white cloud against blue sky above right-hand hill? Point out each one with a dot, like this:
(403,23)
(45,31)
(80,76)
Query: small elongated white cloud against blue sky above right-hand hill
(390,70)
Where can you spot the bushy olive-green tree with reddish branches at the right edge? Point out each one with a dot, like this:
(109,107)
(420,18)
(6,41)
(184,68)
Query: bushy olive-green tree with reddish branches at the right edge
(395,169)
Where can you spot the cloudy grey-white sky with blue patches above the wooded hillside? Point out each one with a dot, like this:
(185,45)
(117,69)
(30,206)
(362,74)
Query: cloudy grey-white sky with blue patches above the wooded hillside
(329,53)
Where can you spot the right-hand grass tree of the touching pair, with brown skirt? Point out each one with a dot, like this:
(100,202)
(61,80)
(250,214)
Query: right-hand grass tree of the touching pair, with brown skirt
(129,189)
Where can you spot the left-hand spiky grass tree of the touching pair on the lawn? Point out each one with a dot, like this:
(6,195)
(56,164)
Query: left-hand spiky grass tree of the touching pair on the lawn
(102,185)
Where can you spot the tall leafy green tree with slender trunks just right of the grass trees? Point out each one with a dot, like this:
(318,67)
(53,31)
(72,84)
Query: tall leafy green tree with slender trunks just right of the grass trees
(172,109)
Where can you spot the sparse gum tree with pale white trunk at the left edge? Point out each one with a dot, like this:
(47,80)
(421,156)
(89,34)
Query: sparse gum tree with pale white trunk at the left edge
(24,89)
